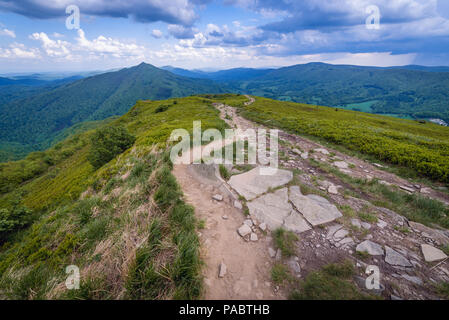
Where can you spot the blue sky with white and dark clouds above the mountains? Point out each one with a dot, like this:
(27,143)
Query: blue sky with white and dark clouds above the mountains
(44,35)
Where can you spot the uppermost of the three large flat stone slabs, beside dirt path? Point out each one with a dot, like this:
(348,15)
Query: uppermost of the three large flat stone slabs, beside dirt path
(252,184)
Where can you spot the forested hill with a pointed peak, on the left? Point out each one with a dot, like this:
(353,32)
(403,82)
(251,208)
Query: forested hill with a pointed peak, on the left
(34,122)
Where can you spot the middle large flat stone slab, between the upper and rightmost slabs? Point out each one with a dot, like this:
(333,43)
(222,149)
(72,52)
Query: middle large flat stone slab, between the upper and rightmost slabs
(274,210)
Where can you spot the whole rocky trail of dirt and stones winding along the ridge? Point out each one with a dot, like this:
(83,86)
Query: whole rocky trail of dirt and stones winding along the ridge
(238,250)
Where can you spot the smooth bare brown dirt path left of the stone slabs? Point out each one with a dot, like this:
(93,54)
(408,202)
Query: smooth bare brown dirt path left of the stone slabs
(248,263)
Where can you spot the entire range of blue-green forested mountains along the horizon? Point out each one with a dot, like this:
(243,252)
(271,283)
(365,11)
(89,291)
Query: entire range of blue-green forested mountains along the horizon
(36,112)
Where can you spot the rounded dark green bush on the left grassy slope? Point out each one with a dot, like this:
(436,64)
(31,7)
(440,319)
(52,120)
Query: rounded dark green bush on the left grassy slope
(107,143)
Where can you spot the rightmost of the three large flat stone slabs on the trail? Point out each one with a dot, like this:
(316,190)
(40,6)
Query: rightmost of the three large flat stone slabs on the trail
(315,209)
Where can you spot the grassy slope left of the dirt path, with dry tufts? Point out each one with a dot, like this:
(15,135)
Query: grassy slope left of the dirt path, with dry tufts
(129,213)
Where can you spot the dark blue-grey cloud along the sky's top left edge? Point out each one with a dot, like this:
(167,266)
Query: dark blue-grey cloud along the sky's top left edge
(170,11)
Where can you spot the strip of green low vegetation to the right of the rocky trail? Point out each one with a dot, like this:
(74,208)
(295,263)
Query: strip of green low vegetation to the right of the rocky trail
(423,148)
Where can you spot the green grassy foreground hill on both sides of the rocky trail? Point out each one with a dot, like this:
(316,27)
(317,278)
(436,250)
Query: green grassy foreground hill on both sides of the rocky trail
(123,222)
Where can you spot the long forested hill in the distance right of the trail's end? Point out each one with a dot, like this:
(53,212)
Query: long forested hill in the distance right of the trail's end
(403,92)
